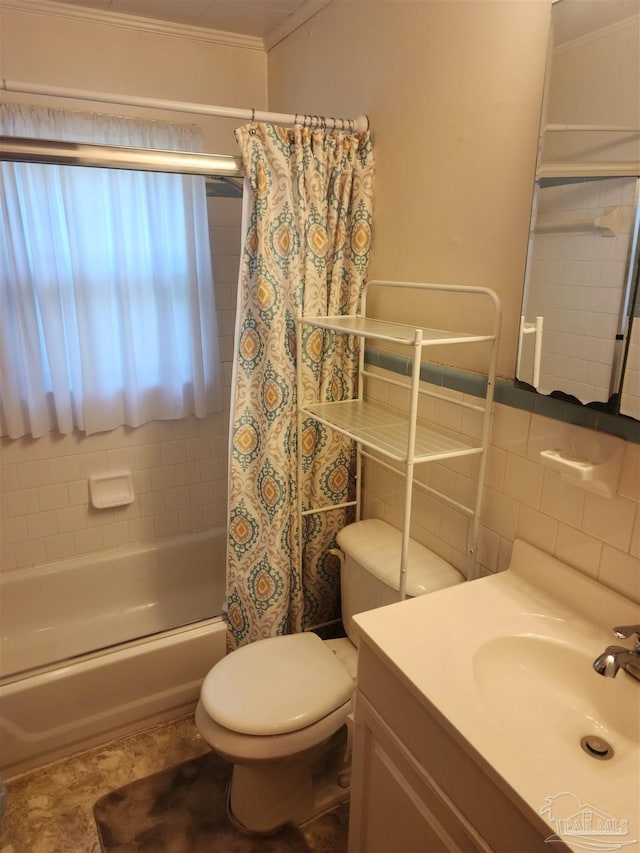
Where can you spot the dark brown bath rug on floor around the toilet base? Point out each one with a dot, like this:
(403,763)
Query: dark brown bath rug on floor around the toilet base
(182,810)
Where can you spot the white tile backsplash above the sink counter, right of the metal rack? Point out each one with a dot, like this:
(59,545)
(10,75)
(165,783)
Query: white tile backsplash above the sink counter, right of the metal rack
(597,535)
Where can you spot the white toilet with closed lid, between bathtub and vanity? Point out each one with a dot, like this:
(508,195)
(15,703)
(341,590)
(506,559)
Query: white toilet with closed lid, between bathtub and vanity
(277,709)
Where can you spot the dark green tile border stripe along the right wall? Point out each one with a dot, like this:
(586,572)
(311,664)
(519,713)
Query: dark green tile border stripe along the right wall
(507,394)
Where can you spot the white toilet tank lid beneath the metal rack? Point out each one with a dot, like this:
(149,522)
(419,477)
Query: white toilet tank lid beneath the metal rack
(377,546)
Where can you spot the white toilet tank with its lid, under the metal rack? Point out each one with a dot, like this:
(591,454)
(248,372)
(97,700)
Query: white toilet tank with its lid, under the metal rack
(370,569)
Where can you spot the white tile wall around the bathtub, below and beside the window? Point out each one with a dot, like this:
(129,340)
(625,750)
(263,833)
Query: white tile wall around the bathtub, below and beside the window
(179,467)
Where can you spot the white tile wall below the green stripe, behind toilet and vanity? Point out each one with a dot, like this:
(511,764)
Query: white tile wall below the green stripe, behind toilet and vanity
(523,499)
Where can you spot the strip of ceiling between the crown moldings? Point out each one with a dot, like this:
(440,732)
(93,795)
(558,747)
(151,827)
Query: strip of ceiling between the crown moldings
(262,19)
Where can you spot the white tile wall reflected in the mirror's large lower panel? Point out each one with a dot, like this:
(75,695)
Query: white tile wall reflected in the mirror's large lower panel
(576,282)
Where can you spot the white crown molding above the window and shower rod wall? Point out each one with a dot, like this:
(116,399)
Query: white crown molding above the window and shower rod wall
(116,19)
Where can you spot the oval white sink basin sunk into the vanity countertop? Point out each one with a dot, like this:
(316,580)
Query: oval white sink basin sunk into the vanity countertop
(559,694)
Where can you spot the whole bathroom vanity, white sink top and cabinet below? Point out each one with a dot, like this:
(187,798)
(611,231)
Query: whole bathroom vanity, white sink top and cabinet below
(470,707)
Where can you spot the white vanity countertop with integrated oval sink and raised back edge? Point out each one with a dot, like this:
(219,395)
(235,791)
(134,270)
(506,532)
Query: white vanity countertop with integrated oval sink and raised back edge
(507,664)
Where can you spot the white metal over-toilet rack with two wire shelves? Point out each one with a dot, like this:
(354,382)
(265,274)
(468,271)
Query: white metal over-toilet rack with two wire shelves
(396,440)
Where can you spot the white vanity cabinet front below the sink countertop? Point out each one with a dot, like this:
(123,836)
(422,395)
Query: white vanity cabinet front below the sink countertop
(416,787)
